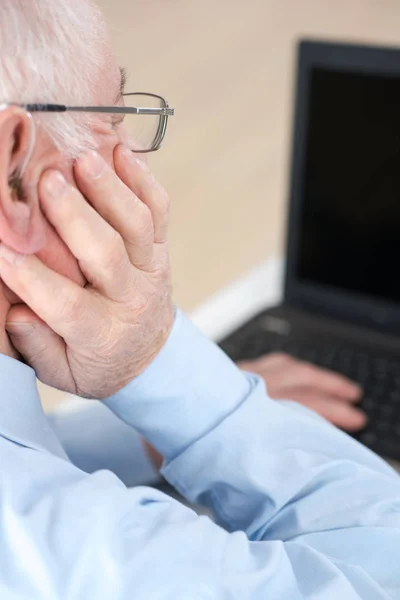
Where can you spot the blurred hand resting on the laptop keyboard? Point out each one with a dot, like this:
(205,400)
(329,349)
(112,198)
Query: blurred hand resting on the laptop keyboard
(329,394)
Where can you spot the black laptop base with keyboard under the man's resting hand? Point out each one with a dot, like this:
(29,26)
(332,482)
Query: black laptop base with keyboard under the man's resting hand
(366,357)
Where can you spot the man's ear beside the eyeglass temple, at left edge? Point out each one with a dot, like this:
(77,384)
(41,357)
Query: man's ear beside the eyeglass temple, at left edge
(21,227)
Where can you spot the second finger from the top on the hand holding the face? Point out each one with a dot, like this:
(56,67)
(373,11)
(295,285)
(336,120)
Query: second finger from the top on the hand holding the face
(118,205)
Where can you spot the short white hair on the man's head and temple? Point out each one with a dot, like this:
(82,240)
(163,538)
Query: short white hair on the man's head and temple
(52,51)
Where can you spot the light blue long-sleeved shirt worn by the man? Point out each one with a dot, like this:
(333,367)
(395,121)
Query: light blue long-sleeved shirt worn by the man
(302,511)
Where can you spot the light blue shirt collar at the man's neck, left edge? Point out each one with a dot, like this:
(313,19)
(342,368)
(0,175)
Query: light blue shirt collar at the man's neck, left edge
(22,419)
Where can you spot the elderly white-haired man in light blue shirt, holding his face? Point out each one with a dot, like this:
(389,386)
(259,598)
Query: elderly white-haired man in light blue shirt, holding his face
(302,510)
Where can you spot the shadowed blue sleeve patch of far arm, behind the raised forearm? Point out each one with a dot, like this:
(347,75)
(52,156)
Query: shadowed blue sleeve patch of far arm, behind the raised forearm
(95,439)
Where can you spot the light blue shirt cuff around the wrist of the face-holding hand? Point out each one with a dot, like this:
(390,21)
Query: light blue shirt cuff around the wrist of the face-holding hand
(189,388)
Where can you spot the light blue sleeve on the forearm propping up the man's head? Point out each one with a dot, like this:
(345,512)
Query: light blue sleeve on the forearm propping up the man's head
(275,471)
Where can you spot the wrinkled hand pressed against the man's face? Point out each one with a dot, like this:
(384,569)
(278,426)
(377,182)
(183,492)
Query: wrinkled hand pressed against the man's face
(93,341)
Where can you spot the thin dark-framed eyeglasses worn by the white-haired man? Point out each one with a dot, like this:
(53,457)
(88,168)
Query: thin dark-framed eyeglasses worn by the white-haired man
(145,117)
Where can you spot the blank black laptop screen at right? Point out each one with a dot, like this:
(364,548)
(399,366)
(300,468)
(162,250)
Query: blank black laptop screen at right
(350,217)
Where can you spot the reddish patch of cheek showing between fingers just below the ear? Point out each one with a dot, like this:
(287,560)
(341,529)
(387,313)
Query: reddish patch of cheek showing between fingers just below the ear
(57,256)
